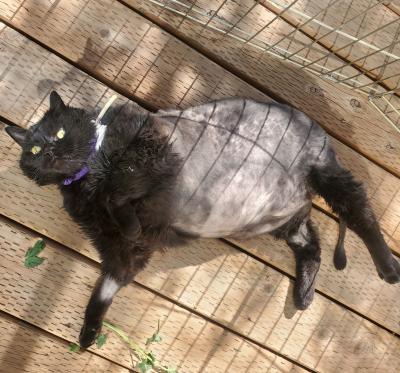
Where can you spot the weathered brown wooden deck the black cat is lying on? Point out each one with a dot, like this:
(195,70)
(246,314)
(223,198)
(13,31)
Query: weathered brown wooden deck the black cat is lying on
(223,306)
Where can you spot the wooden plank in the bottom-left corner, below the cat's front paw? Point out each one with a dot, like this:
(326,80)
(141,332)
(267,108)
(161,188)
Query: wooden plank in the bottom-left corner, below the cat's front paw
(24,348)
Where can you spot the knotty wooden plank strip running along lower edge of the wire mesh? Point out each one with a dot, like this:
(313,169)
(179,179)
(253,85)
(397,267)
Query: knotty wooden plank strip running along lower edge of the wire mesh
(344,113)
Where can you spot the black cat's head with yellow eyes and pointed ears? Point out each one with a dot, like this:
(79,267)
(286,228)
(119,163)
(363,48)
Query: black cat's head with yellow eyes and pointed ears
(57,146)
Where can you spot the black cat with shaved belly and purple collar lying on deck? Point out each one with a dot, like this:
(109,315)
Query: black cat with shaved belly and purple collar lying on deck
(137,182)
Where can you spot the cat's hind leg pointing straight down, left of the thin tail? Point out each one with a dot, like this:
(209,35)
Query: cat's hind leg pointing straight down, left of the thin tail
(305,245)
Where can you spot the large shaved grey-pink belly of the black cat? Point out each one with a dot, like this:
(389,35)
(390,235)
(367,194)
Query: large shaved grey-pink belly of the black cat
(244,166)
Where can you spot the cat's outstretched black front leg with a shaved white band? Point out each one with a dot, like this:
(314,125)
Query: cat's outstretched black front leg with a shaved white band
(119,269)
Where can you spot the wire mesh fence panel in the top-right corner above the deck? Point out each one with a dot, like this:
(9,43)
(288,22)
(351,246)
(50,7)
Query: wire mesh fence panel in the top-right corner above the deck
(351,42)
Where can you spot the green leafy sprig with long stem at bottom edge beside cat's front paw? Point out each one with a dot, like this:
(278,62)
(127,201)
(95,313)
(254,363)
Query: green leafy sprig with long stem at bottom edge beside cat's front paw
(147,360)
